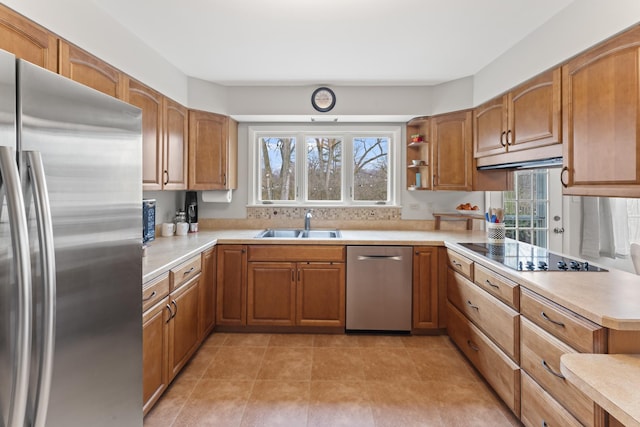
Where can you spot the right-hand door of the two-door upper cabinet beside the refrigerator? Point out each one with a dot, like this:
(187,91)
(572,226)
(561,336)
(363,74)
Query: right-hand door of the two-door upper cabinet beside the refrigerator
(176,131)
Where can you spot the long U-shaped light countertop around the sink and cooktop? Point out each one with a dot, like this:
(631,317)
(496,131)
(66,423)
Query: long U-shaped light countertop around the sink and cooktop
(608,298)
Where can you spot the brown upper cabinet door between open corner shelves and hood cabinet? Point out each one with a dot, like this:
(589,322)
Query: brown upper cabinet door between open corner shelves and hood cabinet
(451,145)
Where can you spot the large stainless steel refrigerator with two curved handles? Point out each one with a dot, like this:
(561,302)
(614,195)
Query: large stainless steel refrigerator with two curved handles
(70,253)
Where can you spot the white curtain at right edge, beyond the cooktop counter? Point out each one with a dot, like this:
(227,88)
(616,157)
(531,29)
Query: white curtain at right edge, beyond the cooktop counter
(606,227)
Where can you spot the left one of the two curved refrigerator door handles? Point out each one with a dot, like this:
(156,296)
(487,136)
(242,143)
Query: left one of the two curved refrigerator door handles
(20,238)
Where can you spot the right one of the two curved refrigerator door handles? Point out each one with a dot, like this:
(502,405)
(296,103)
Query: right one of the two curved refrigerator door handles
(47,251)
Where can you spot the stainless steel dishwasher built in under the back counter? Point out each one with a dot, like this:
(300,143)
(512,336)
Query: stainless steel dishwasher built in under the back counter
(379,288)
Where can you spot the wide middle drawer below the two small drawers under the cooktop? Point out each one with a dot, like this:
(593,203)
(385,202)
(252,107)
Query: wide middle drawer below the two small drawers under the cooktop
(493,317)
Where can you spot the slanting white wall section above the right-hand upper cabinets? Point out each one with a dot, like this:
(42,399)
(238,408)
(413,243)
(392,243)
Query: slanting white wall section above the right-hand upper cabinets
(580,25)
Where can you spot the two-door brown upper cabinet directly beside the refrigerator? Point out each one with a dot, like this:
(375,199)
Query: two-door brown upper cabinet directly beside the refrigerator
(164,136)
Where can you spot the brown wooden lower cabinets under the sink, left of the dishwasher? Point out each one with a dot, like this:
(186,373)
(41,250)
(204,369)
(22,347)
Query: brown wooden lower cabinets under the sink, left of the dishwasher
(281,285)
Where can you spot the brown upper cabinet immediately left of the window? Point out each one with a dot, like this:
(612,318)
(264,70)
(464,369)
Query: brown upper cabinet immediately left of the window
(213,151)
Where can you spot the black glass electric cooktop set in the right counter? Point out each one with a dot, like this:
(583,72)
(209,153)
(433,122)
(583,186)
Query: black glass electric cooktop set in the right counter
(525,257)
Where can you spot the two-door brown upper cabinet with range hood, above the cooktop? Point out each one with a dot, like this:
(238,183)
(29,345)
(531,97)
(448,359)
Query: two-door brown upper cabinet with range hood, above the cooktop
(527,117)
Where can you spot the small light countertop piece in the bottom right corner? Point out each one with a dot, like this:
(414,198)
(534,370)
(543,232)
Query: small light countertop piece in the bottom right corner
(611,380)
